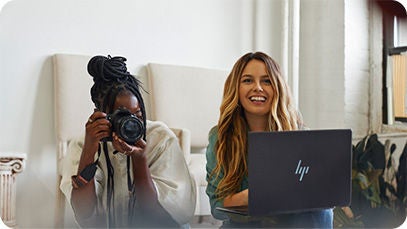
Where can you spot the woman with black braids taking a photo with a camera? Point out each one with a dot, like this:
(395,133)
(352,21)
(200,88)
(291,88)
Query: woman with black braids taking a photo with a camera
(125,173)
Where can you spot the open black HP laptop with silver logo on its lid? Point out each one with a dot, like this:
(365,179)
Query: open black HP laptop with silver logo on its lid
(294,171)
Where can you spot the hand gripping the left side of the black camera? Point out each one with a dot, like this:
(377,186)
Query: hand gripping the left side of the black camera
(97,128)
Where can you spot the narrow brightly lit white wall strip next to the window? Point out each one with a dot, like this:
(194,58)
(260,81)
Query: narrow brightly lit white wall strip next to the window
(357,73)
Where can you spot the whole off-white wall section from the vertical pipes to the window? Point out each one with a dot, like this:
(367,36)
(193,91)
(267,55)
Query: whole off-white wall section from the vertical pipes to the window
(335,64)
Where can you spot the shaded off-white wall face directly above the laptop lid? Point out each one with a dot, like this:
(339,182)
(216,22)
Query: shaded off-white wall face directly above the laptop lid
(321,67)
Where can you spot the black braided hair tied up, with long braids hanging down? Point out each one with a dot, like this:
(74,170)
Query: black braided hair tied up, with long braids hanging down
(111,78)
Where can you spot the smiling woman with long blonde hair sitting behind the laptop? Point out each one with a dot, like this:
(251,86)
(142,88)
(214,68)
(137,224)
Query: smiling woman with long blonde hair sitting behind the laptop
(255,98)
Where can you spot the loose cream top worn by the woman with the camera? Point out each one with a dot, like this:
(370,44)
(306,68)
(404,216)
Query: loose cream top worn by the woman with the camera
(169,171)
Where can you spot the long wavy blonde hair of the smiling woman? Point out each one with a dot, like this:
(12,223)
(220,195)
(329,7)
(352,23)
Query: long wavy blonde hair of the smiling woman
(231,145)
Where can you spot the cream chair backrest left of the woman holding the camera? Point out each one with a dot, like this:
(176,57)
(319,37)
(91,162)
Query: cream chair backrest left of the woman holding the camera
(73,104)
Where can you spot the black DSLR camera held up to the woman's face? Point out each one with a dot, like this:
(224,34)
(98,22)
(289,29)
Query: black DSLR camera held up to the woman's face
(126,125)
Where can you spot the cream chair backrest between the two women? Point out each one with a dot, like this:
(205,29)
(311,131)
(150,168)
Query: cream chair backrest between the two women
(186,97)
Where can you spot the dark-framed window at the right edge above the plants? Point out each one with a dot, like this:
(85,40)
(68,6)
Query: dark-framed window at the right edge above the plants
(394,62)
